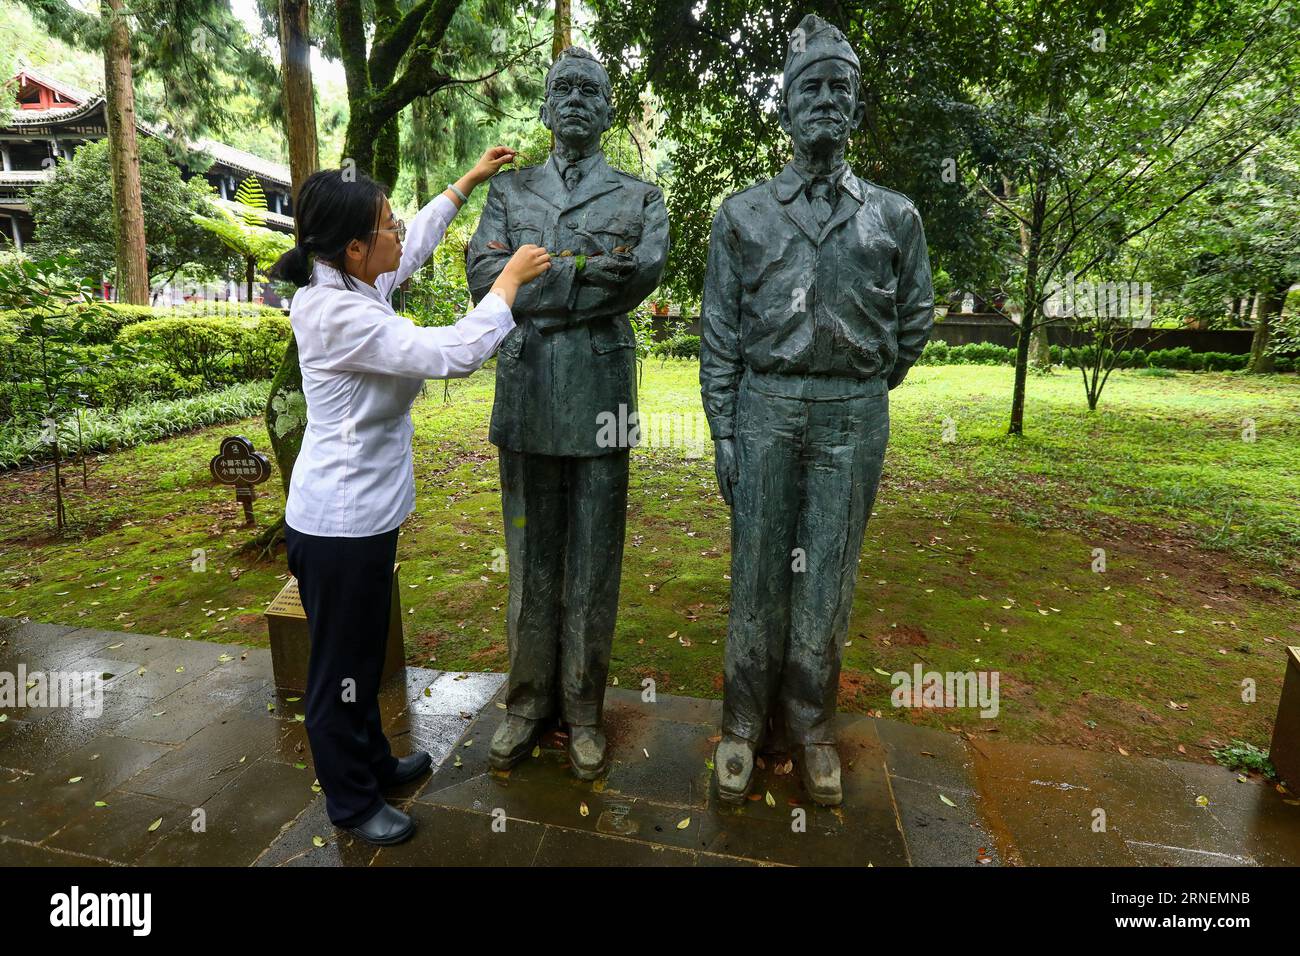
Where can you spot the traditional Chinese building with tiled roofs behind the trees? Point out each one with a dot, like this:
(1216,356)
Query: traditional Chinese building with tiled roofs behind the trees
(53,119)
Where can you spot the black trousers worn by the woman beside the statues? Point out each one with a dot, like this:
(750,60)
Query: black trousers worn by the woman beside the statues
(346,589)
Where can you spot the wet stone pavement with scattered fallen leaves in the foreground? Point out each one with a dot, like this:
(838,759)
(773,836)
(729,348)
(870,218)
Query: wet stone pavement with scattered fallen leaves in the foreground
(187,728)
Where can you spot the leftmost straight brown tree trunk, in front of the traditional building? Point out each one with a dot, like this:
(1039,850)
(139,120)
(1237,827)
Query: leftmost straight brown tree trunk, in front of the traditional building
(133,271)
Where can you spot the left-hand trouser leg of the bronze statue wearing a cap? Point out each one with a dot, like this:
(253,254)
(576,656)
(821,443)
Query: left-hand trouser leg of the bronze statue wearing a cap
(769,436)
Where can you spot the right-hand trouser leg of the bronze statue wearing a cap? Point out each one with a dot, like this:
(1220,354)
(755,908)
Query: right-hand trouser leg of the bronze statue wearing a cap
(844,455)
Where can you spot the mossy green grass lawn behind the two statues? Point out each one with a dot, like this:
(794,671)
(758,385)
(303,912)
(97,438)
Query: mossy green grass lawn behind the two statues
(981,556)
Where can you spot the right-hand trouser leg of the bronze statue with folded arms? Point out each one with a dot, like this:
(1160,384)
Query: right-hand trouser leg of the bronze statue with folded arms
(593,561)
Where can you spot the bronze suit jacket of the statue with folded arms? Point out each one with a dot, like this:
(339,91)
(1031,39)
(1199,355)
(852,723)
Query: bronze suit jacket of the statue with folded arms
(574,354)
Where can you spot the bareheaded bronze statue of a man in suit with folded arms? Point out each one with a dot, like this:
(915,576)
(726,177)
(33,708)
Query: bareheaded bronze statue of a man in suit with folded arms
(564,377)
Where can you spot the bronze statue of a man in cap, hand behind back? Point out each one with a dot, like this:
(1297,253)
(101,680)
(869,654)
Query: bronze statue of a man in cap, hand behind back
(817,302)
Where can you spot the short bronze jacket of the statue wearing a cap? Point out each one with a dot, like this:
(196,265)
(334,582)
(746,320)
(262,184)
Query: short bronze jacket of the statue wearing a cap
(851,300)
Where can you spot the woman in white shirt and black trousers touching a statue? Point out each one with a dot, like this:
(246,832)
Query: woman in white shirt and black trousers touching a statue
(354,481)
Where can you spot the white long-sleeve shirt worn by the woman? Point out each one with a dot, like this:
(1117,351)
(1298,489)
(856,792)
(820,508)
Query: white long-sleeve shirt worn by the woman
(363,366)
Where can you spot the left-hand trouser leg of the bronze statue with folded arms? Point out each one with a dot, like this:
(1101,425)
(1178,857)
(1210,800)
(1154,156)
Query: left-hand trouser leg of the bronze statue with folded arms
(534,508)
